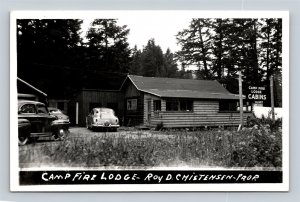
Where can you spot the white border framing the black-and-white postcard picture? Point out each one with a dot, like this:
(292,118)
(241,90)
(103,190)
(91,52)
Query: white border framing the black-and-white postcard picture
(14,166)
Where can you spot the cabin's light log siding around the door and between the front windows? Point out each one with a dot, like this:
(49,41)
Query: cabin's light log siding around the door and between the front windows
(205,113)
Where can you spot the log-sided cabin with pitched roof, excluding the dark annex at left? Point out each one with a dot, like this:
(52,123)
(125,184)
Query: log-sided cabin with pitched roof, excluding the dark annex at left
(176,102)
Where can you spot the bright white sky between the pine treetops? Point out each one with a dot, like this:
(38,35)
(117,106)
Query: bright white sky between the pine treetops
(162,29)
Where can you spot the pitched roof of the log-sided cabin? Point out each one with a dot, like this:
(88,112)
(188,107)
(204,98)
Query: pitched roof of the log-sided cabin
(181,88)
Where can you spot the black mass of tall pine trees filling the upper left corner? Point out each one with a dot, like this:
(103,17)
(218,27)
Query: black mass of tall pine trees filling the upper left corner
(47,51)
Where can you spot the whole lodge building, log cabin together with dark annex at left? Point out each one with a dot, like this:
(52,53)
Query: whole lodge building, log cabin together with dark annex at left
(170,102)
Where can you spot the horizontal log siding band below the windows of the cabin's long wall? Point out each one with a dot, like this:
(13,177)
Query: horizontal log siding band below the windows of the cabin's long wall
(190,119)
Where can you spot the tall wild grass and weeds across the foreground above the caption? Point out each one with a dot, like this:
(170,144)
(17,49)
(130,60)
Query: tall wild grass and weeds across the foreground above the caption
(248,148)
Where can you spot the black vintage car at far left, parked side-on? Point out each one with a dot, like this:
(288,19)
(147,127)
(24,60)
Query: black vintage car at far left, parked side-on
(34,121)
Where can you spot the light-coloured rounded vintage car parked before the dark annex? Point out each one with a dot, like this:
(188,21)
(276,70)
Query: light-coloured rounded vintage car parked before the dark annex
(102,118)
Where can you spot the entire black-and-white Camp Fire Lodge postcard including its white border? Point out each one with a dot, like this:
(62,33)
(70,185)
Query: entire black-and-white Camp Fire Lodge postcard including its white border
(149,101)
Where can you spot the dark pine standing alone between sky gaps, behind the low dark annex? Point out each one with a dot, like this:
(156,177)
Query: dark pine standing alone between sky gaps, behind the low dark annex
(107,46)
